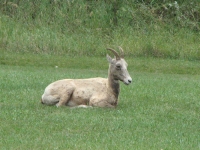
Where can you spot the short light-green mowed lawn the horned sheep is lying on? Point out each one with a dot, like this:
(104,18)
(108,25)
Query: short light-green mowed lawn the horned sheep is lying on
(159,110)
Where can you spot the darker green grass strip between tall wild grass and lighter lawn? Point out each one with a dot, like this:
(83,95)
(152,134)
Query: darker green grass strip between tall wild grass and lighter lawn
(141,64)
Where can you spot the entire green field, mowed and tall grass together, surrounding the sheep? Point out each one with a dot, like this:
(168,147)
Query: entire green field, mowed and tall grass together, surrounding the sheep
(159,110)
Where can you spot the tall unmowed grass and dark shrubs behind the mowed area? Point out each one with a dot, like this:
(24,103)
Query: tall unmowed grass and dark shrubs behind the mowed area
(144,28)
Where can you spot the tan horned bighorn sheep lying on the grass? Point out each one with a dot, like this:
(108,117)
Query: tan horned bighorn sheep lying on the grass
(99,92)
